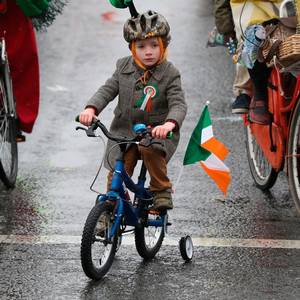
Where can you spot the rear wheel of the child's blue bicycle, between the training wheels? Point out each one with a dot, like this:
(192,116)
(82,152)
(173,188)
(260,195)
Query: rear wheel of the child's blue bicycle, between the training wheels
(148,239)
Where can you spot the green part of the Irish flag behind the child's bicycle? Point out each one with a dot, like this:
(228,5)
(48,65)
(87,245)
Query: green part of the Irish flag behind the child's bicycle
(194,152)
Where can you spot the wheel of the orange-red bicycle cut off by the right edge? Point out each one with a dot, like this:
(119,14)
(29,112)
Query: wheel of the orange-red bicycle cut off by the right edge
(293,162)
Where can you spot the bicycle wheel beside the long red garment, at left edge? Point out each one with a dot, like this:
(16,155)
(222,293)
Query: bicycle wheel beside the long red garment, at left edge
(8,143)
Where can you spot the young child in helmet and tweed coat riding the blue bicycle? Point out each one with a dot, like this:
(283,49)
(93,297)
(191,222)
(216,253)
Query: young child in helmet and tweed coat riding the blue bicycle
(149,89)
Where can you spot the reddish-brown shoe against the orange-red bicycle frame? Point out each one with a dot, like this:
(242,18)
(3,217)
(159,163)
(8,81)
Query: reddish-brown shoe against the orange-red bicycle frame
(259,112)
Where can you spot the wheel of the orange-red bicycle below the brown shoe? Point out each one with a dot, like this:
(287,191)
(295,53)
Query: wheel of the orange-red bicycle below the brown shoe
(262,172)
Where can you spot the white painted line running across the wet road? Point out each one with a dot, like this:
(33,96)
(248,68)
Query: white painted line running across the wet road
(169,241)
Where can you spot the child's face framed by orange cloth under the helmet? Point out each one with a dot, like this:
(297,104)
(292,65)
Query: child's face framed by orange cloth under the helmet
(148,51)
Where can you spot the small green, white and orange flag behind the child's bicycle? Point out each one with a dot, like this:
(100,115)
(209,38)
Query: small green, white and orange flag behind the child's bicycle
(210,152)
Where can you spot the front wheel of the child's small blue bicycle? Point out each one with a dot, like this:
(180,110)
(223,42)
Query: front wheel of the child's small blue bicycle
(97,254)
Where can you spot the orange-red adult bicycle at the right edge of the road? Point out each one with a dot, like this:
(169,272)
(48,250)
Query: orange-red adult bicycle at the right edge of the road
(270,147)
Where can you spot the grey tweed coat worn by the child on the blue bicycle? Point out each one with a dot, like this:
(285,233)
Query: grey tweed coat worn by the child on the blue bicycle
(169,103)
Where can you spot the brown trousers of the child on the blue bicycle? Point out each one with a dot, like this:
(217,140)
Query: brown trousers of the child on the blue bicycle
(155,163)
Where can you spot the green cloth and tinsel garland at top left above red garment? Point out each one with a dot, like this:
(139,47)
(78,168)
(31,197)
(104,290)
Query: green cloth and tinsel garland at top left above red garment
(42,12)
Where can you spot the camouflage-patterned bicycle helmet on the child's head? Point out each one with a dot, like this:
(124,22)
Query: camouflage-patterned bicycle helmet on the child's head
(148,24)
